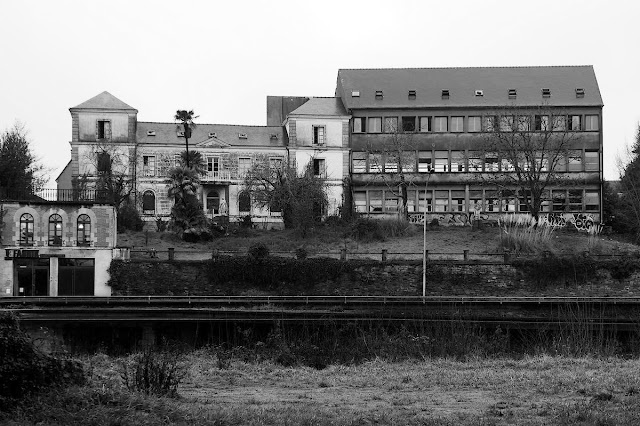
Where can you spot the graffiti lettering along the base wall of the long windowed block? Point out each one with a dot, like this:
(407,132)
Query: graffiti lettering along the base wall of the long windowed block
(581,221)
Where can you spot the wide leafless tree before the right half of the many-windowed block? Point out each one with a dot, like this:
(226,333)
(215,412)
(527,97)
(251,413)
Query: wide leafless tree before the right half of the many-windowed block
(526,150)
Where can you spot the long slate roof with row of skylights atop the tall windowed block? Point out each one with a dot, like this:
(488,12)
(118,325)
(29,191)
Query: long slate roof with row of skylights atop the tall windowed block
(462,83)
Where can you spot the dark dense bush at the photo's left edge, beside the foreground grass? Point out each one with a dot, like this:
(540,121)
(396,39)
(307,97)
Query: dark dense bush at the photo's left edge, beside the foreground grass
(25,370)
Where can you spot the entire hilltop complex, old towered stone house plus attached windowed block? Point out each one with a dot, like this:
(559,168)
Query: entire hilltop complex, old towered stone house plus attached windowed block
(434,125)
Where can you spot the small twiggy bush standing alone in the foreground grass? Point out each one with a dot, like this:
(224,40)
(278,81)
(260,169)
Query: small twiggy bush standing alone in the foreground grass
(153,373)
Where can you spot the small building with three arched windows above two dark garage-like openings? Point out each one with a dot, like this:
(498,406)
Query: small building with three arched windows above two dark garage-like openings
(56,243)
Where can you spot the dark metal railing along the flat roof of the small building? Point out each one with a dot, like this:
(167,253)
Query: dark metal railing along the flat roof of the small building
(57,195)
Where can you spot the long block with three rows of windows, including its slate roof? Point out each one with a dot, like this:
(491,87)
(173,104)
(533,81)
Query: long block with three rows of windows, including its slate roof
(443,120)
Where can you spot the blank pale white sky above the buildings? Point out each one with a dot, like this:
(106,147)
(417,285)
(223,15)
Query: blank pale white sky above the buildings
(222,59)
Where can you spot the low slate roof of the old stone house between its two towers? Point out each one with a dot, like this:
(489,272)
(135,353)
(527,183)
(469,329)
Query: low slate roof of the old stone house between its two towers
(166,133)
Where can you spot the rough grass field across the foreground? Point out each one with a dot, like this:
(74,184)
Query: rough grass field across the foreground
(538,390)
